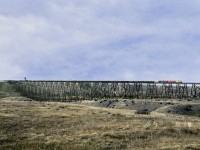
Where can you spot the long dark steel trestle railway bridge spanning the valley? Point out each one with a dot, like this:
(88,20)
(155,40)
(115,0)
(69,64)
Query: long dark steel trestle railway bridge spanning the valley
(73,90)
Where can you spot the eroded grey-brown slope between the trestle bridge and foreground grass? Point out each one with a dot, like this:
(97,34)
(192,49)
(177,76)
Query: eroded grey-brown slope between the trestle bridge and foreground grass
(182,107)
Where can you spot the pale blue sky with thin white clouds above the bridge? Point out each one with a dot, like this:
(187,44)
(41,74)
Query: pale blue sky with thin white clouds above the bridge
(100,40)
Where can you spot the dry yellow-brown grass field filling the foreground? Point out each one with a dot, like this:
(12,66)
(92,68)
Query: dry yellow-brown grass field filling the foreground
(51,125)
